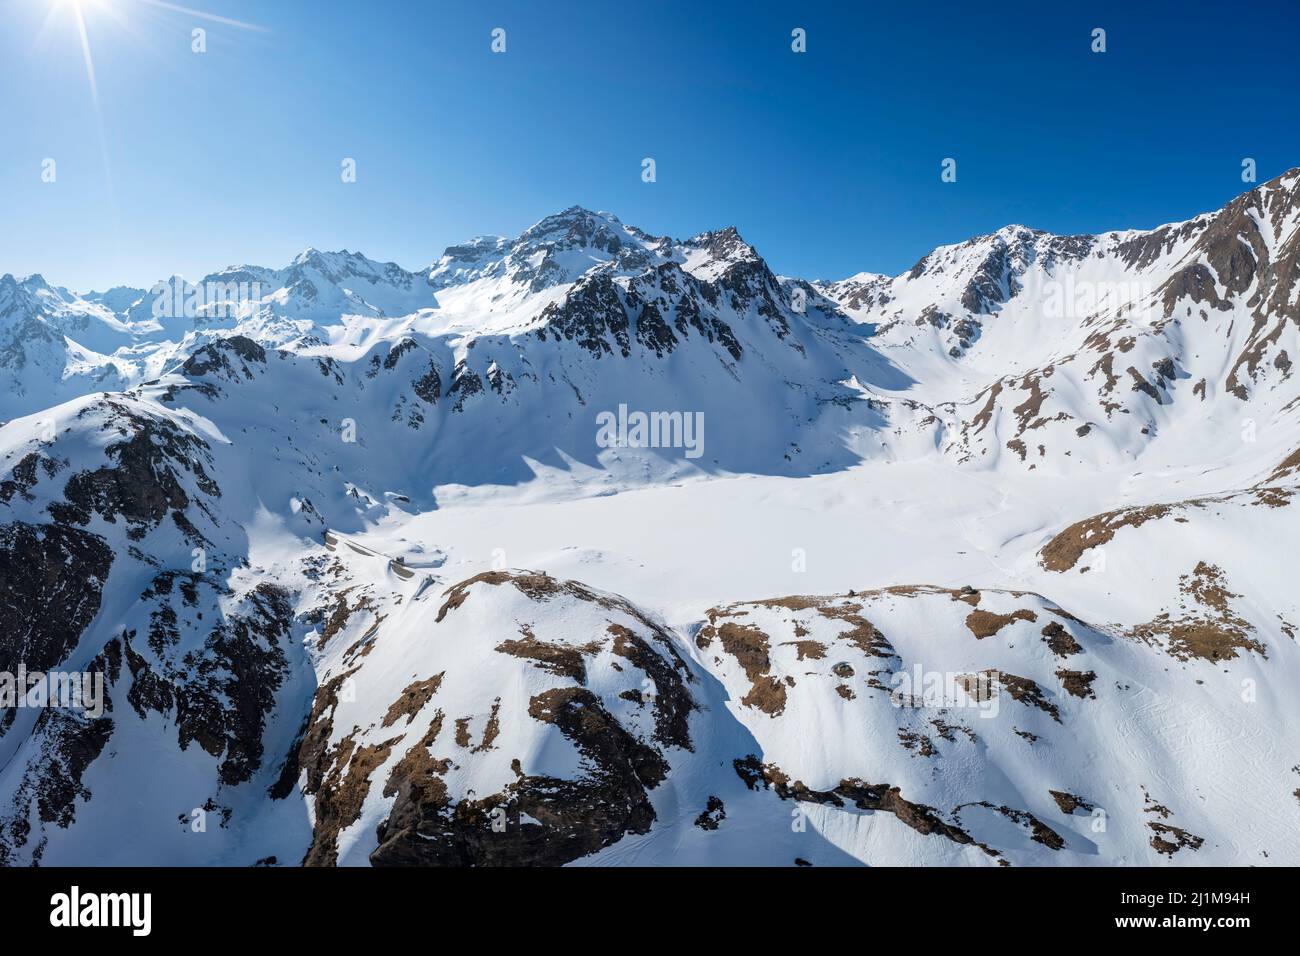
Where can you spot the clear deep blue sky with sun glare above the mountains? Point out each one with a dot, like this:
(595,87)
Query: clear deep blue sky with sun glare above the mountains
(827,162)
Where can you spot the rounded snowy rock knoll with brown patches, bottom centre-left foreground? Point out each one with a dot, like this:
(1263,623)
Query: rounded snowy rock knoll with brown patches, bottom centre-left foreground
(538,719)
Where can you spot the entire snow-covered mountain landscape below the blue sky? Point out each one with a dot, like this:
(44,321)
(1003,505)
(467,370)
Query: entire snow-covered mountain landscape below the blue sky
(597,547)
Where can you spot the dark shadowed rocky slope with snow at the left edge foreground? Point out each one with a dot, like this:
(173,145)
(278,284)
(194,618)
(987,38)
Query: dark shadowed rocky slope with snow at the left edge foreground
(97,521)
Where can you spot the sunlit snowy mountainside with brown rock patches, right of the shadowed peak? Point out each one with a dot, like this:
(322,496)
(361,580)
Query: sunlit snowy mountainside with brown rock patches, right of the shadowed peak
(1136,334)
